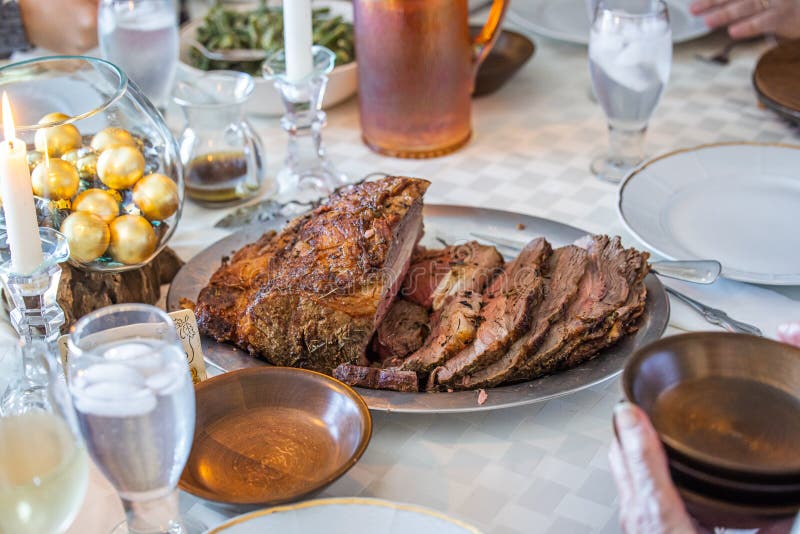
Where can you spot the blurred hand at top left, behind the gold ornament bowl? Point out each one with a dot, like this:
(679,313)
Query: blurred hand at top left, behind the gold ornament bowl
(62,26)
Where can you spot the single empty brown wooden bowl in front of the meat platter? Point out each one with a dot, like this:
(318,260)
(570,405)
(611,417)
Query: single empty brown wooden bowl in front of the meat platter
(272,435)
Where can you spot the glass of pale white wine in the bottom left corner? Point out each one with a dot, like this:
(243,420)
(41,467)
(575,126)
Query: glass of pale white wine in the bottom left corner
(44,470)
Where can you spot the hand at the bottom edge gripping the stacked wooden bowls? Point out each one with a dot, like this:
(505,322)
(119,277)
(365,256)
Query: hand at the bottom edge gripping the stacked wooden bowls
(649,501)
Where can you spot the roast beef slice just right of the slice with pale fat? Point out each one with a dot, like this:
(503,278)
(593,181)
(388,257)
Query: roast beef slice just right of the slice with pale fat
(505,316)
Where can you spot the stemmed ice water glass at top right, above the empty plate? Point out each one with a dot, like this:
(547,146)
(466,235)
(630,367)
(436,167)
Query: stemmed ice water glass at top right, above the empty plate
(630,55)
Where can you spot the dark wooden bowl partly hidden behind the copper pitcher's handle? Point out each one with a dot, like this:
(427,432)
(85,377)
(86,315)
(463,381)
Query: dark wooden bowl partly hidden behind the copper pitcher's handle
(511,51)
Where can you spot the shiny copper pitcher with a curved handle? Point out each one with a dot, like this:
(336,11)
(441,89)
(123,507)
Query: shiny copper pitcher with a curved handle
(416,71)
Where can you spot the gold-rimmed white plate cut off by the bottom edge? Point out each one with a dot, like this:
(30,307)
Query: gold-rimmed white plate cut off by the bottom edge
(345,516)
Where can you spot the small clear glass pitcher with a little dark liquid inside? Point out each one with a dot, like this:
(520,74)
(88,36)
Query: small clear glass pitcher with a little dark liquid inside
(223,157)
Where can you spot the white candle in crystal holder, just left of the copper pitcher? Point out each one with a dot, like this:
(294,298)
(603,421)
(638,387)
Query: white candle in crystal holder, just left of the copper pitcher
(297,39)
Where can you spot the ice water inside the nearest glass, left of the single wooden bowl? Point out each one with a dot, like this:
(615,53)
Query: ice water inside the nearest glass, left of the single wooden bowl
(135,408)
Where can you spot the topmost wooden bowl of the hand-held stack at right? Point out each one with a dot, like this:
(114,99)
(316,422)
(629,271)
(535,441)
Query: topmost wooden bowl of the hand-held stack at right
(723,403)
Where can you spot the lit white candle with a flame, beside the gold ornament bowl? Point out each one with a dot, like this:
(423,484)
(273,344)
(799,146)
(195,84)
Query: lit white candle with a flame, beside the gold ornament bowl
(15,188)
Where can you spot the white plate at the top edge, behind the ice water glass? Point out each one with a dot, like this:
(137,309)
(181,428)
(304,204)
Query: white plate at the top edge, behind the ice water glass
(568,20)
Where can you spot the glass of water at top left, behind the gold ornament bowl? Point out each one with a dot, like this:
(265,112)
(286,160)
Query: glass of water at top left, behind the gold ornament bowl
(141,37)
